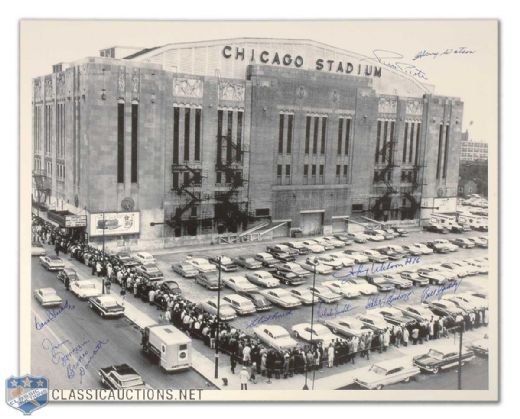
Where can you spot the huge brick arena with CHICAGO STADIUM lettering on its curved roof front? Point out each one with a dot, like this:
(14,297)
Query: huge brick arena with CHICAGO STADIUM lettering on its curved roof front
(186,142)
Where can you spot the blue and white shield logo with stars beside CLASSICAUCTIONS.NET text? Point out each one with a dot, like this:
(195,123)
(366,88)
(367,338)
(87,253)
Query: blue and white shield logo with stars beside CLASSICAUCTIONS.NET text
(27,393)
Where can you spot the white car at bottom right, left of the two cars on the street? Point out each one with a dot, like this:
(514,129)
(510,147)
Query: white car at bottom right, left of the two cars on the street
(385,373)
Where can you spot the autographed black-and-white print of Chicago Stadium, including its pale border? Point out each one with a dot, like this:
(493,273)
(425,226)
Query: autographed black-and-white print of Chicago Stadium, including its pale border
(219,209)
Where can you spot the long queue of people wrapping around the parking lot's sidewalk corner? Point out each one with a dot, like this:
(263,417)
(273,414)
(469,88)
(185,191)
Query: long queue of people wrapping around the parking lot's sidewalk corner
(243,348)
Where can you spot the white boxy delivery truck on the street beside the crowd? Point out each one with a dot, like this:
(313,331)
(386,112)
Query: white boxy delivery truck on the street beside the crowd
(168,346)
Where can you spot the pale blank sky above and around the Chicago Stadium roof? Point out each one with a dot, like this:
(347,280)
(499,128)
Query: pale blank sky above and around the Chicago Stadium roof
(472,77)
